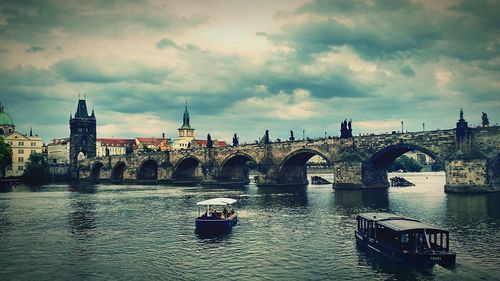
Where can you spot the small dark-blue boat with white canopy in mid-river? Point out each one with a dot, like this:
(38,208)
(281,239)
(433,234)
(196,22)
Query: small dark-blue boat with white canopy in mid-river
(214,220)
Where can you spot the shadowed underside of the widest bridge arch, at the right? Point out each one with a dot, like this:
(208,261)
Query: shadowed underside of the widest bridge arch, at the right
(374,172)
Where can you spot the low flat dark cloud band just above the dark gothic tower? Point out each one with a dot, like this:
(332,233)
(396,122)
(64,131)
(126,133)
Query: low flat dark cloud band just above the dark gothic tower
(81,69)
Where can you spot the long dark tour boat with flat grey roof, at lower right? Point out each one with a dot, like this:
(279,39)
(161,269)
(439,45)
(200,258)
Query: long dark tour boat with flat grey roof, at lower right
(405,240)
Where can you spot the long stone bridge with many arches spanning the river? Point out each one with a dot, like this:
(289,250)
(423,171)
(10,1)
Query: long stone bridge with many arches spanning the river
(471,161)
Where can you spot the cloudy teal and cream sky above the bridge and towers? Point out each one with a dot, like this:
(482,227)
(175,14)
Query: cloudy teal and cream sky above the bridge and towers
(247,66)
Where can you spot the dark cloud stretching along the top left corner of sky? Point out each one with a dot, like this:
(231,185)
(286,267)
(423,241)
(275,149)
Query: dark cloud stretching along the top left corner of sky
(32,21)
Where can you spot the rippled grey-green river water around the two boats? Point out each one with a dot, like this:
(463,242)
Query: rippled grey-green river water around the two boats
(134,232)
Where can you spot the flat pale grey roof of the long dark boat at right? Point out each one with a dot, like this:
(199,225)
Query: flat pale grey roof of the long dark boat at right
(398,223)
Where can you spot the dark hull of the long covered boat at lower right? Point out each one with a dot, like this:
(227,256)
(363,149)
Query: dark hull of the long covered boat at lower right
(426,259)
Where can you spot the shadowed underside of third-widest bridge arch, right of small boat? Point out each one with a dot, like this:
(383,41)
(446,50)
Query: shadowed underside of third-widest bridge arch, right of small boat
(233,168)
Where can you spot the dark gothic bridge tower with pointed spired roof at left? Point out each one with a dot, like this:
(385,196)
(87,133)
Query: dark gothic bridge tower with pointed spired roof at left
(82,133)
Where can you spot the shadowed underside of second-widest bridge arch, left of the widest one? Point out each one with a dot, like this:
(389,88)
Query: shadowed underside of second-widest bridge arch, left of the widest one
(292,169)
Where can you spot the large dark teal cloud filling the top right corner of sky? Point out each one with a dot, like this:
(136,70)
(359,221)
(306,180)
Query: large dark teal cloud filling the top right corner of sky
(383,30)
